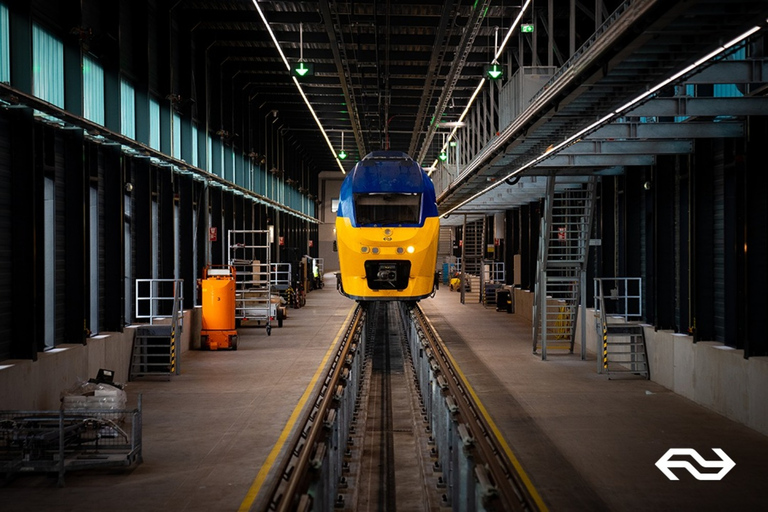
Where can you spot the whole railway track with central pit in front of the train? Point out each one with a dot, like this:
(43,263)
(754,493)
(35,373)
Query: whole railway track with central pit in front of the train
(395,427)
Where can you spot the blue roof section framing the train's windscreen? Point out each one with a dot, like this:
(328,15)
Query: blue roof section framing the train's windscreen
(387,172)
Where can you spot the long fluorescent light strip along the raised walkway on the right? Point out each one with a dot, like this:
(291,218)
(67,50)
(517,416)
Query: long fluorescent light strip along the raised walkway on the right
(627,106)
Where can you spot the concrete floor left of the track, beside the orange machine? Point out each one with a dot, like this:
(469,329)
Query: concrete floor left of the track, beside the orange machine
(208,431)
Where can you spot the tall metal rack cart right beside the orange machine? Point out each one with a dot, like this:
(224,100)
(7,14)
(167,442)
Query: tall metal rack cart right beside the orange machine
(249,253)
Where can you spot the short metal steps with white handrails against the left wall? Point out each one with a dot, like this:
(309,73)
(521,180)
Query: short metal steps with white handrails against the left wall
(154,352)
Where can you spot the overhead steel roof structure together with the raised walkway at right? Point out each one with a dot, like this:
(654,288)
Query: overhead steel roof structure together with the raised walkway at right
(592,89)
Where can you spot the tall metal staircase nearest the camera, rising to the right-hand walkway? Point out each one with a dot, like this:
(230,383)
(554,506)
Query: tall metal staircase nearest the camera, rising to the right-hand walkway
(561,264)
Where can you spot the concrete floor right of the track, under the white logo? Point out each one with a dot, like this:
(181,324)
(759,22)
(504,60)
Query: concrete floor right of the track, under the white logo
(587,442)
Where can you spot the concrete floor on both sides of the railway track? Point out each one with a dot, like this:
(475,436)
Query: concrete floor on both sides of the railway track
(585,442)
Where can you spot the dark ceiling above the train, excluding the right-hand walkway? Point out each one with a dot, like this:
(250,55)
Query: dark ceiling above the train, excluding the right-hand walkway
(383,70)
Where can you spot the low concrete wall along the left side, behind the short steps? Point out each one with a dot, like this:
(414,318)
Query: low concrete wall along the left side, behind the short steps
(37,385)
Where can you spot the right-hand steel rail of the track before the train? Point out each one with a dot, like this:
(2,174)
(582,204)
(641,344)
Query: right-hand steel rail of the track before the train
(503,485)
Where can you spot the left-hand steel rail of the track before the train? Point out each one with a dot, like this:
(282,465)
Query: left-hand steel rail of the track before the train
(308,444)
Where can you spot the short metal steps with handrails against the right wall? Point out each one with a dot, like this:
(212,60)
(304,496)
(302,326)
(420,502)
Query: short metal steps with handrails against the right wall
(623,341)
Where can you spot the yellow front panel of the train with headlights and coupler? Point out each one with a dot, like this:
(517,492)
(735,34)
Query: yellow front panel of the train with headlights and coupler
(387,263)
